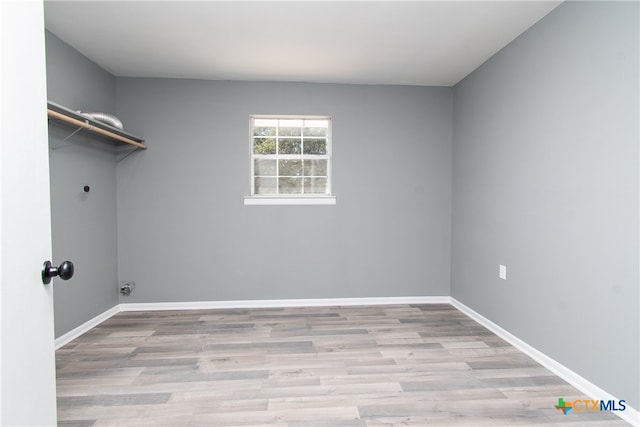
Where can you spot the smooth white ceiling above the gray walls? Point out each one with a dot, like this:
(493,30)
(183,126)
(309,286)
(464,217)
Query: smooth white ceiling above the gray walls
(426,43)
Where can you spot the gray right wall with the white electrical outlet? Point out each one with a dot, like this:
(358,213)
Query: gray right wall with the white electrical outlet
(545,181)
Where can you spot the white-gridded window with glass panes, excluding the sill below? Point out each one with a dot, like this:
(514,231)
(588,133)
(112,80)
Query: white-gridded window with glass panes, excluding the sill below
(290,157)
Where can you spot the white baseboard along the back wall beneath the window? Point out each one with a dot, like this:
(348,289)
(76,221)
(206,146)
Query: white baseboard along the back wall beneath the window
(317,302)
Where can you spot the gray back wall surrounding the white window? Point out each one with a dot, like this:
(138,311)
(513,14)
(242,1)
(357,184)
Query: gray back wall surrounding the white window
(185,235)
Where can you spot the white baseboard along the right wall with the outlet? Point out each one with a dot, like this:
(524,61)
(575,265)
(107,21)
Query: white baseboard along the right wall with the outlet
(593,391)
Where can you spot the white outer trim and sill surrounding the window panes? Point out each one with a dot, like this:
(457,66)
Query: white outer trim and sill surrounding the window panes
(291,199)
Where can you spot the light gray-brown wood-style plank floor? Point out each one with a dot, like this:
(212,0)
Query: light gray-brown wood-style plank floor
(374,366)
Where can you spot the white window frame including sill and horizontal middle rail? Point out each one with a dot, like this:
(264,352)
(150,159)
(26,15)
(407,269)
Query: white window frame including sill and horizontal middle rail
(291,199)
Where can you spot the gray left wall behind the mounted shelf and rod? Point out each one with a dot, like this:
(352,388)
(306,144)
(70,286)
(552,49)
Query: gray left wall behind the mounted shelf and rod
(83,224)
